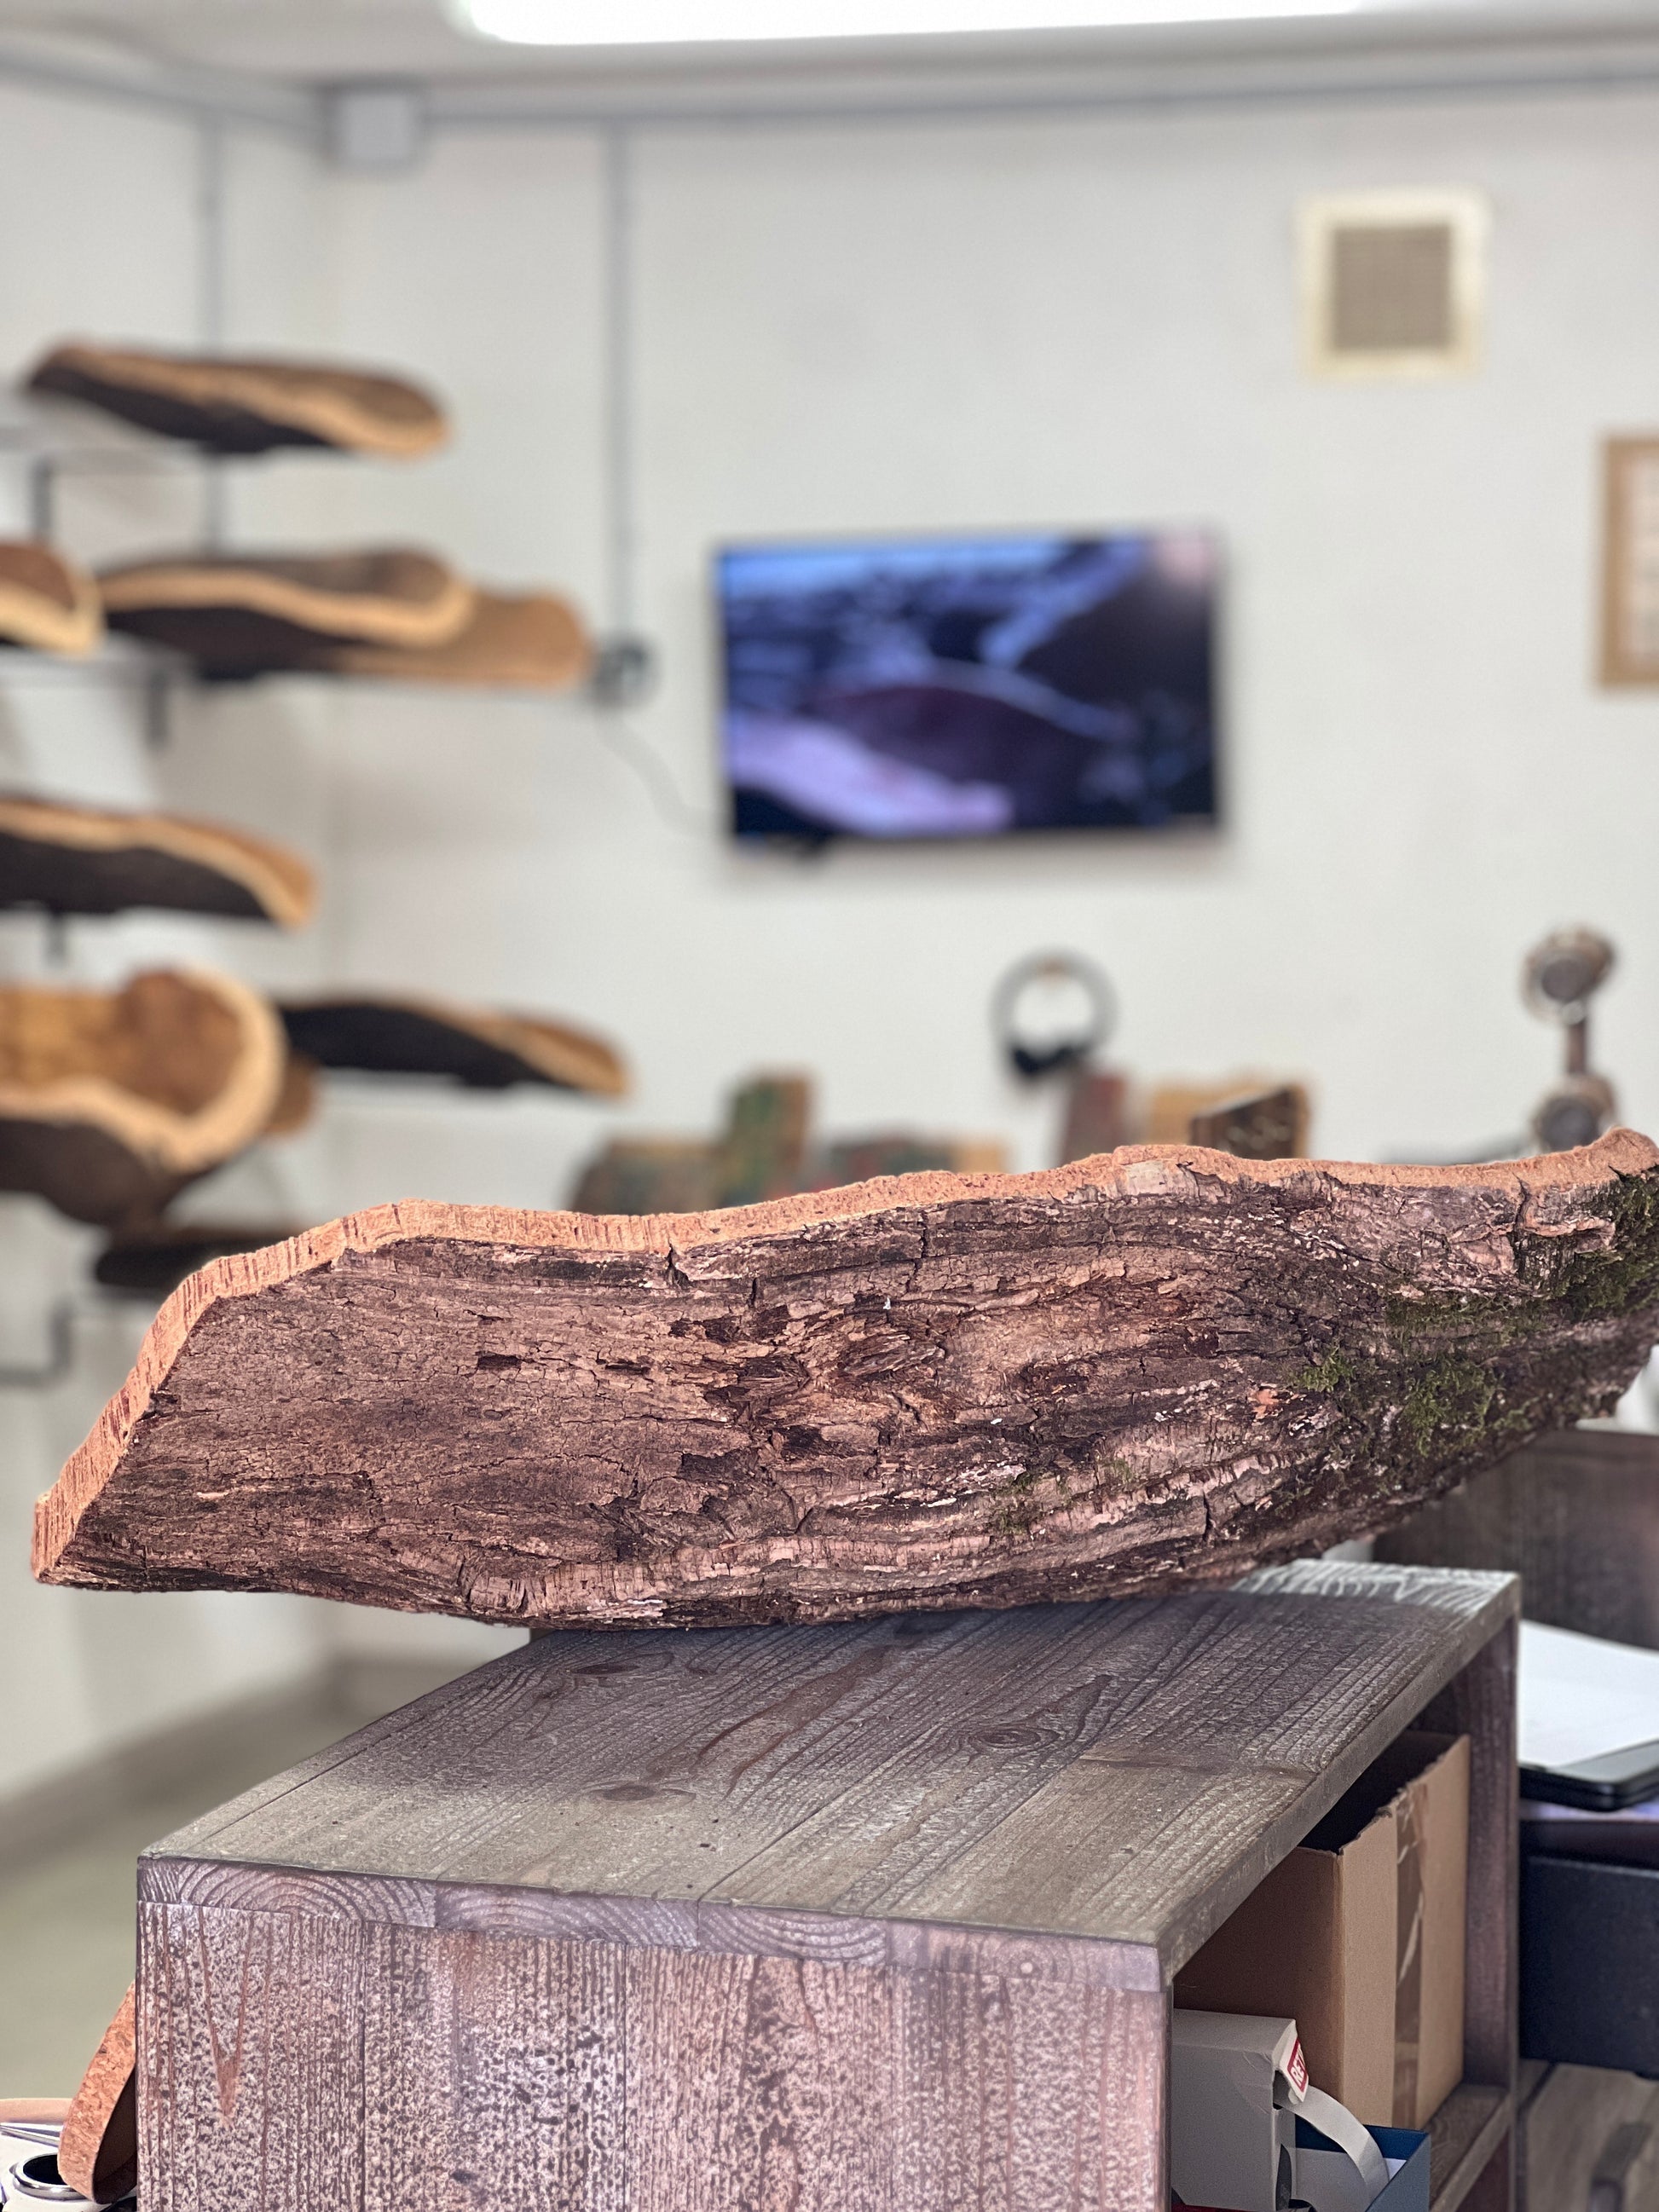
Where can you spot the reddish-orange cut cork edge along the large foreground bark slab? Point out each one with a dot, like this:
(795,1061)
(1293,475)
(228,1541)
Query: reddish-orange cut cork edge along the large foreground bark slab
(1131,1171)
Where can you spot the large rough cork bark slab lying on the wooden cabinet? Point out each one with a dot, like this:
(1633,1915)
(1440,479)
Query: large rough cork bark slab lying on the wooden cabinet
(924,1392)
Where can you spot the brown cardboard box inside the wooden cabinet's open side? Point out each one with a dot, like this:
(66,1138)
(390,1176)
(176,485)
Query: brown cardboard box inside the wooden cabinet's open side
(1359,1937)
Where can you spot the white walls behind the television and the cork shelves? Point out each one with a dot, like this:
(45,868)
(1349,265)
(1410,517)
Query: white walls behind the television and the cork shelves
(864,328)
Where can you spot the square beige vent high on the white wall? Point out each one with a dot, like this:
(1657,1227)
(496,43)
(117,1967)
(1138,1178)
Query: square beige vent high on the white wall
(1392,284)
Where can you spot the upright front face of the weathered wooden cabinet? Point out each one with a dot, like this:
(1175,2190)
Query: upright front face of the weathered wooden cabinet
(304,2063)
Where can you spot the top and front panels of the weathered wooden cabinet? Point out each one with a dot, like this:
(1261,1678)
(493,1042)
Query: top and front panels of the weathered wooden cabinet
(868,1919)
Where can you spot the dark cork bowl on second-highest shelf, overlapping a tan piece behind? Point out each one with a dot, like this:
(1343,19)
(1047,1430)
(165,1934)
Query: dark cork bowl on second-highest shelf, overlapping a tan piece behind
(253,614)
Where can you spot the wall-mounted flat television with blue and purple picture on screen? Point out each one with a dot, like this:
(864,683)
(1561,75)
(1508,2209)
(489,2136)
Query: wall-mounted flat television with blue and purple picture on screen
(970,687)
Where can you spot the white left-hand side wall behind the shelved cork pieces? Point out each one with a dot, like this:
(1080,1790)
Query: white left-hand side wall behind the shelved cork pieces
(101,236)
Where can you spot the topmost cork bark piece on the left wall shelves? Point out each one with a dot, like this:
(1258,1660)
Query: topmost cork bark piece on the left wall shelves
(247,404)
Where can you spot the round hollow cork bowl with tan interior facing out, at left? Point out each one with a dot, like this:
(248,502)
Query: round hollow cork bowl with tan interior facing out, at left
(114,1100)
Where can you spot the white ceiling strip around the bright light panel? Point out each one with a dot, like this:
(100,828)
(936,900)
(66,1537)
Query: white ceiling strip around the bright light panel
(328,41)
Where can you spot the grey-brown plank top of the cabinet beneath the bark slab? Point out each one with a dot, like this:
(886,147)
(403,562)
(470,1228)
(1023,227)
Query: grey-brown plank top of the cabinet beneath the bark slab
(1118,1773)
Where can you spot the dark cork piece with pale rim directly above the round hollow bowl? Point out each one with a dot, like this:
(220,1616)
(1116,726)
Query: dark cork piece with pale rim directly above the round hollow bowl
(74,859)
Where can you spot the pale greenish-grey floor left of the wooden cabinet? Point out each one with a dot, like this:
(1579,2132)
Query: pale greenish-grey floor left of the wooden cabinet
(67,1910)
